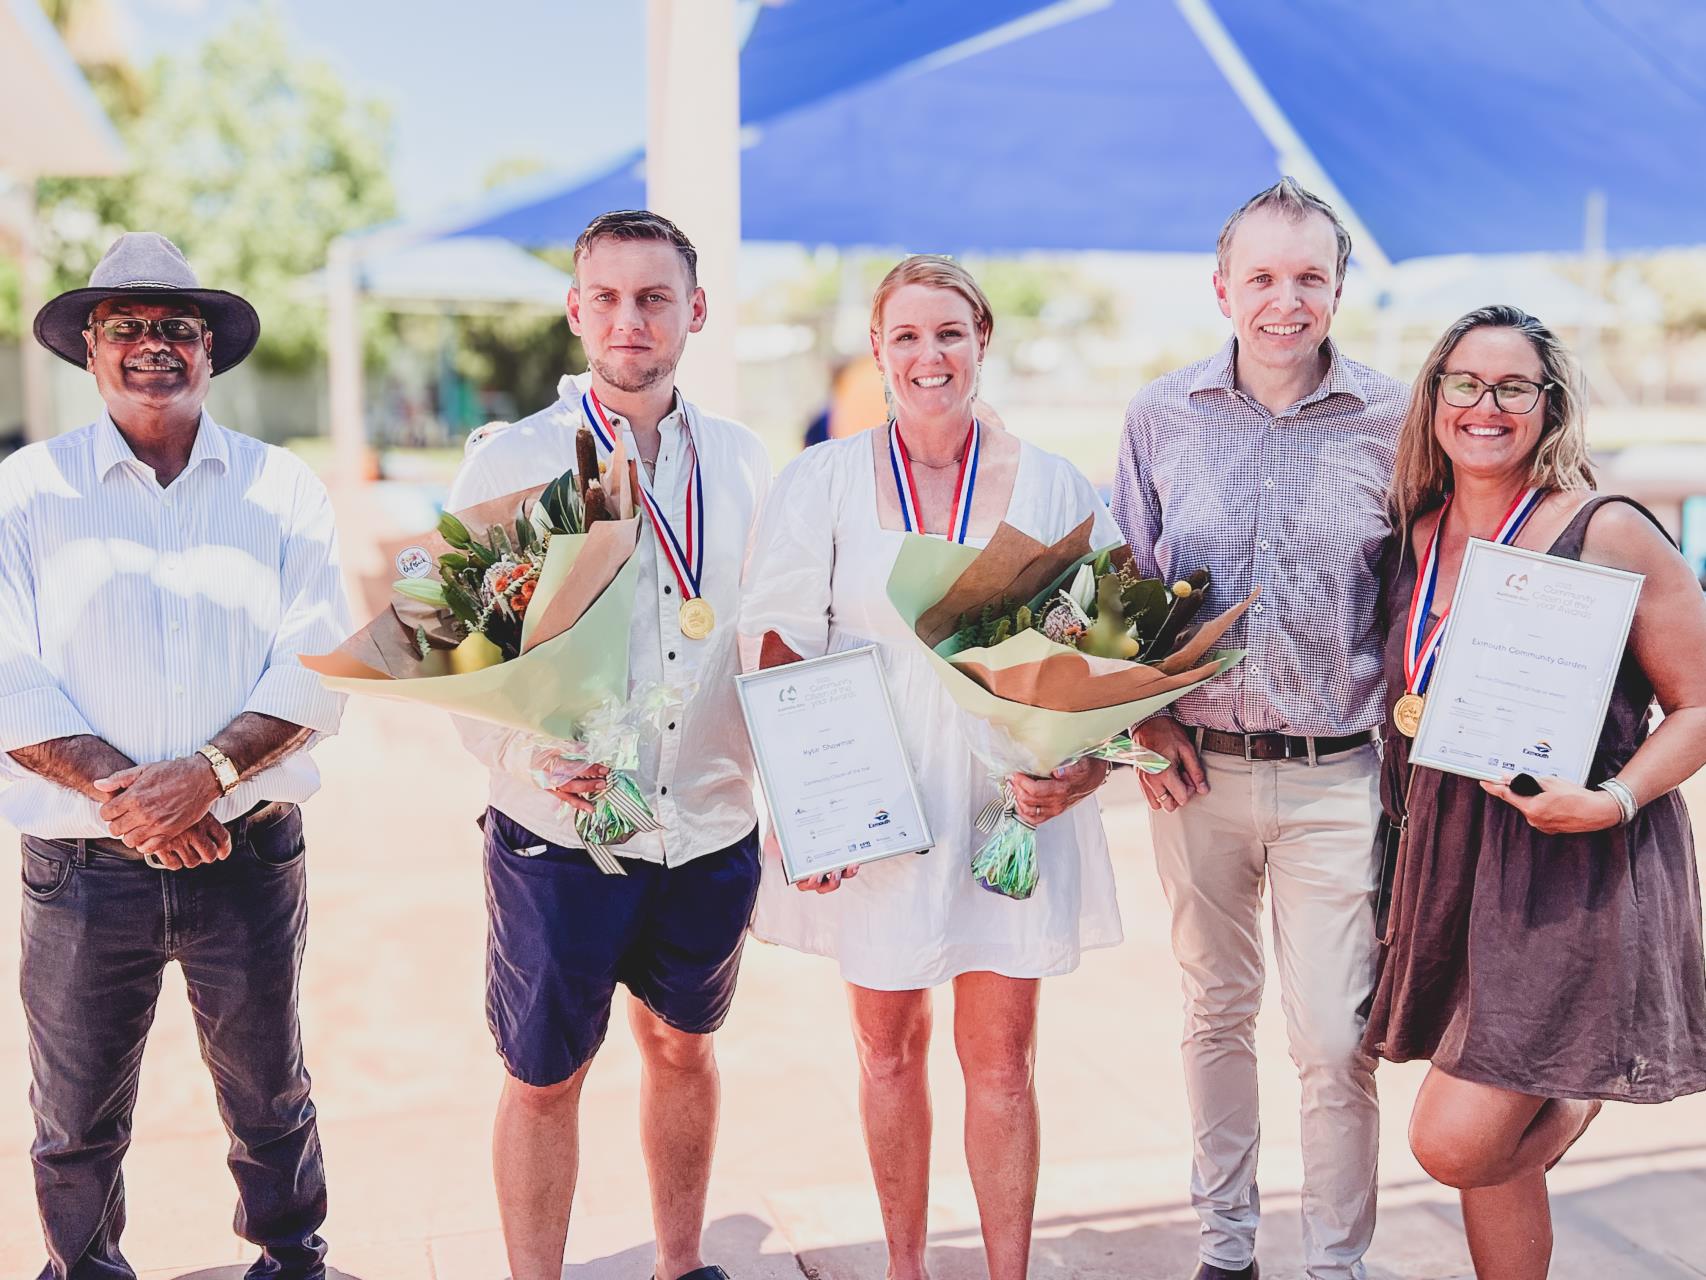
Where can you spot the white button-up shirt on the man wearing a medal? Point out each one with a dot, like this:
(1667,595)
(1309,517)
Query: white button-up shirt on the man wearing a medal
(699,771)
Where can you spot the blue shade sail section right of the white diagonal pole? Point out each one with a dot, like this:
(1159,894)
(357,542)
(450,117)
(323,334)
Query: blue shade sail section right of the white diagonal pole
(1471,127)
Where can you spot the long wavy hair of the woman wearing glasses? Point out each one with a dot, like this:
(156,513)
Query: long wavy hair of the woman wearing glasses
(1422,475)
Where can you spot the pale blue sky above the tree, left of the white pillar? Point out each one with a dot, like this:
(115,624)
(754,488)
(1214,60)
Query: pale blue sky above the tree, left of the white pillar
(470,84)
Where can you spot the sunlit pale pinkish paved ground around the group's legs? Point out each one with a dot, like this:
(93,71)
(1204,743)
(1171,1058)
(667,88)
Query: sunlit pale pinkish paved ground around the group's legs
(407,1079)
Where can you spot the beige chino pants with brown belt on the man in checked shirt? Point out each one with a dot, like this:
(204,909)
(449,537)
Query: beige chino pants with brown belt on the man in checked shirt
(1309,832)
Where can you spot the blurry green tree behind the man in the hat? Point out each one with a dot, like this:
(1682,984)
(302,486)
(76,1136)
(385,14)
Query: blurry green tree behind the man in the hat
(252,158)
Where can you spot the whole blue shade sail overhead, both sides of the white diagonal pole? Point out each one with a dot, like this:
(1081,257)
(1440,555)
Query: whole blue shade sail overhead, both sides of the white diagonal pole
(1448,125)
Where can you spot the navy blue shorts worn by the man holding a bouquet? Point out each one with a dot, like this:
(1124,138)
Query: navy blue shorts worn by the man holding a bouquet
(562,934)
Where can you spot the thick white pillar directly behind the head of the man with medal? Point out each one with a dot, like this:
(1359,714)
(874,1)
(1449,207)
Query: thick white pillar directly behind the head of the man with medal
(693,172)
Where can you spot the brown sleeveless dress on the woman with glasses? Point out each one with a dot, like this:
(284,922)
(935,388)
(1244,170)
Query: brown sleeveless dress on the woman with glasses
(1557,967)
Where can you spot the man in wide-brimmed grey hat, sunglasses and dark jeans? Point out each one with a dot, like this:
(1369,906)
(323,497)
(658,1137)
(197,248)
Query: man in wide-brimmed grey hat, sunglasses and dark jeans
(160,576)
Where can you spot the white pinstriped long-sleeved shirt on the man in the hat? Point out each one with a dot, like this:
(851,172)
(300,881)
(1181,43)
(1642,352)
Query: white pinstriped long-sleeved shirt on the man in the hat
(153,617)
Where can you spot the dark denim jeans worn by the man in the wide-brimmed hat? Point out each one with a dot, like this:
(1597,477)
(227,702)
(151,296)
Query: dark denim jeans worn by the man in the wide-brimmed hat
(98,934)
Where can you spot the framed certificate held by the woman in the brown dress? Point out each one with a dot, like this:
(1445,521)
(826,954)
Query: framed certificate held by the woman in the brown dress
(1528,665)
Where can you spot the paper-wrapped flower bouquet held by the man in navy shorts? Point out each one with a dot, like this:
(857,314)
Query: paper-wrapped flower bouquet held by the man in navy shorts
(516,612)
